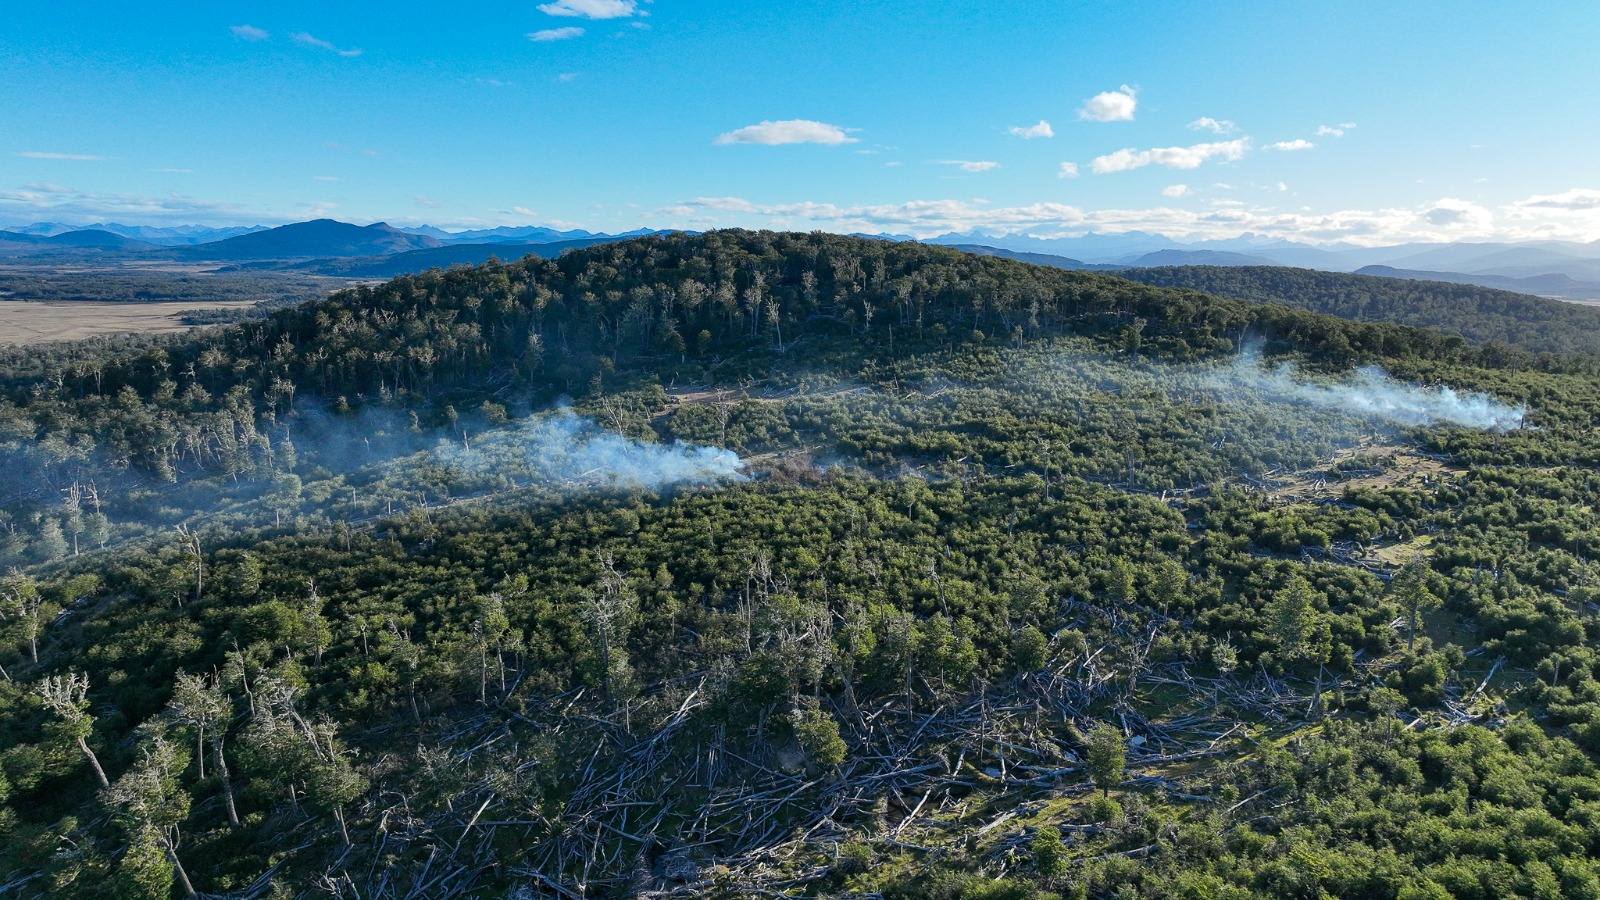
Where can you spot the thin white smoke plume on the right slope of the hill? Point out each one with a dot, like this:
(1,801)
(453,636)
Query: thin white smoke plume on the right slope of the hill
(1372,393)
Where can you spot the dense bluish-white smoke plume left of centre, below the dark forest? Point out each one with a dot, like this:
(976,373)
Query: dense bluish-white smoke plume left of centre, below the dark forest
(570,449)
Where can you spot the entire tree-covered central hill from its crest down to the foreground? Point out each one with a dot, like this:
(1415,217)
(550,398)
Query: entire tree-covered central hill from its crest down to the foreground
(839,568)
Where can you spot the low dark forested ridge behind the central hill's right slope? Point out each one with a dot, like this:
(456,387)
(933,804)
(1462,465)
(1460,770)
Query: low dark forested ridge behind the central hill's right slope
(1479,315)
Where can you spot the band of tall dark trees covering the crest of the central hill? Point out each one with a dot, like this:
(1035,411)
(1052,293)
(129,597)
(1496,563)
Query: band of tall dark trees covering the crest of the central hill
(660,305)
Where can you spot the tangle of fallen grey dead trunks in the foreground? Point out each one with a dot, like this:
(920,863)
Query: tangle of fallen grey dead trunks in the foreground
(666,800)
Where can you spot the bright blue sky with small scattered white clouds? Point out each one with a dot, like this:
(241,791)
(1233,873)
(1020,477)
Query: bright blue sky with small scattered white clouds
(1367,123)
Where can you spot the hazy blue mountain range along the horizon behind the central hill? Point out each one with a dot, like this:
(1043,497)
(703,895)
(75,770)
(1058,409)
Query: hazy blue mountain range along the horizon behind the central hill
(1551,268)
